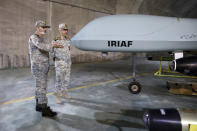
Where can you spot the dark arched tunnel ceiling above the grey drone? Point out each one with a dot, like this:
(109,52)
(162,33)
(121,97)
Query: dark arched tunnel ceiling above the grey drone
(176,8)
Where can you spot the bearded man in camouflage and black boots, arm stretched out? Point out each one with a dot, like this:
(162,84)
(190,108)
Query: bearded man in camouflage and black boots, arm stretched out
(39,56)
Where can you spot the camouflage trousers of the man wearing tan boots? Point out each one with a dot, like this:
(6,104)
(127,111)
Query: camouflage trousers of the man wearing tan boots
(62,75)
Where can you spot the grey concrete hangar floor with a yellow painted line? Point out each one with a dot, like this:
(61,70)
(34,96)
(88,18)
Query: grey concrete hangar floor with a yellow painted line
(100,100)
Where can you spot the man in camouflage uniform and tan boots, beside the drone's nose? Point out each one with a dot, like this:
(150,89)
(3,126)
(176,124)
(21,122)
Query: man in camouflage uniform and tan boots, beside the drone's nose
(62,64)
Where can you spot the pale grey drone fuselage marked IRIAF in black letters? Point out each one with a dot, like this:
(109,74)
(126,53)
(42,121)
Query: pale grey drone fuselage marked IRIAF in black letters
(138,33)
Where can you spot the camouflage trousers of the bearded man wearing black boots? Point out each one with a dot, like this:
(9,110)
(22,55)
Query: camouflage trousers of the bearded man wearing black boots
(40,72)
